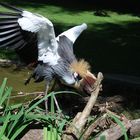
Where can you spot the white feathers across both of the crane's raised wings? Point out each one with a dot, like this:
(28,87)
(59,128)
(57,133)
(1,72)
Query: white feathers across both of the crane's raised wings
(47,42)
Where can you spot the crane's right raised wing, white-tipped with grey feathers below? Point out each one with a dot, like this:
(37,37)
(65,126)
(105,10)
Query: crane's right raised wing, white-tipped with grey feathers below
(66,41)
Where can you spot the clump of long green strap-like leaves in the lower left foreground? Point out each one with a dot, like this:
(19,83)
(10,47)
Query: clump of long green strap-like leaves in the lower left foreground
(15,118)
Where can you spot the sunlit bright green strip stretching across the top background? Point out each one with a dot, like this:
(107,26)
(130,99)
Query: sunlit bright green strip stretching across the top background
(60,15)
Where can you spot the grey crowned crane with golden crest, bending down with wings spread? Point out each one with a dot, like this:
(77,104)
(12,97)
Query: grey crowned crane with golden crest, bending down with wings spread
(32,36)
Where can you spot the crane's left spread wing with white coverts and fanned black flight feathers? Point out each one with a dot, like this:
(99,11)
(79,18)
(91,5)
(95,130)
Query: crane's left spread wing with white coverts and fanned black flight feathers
(29,34)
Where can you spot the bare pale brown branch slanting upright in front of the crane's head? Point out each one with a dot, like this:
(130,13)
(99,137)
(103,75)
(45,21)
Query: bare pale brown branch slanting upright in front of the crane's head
(78,124)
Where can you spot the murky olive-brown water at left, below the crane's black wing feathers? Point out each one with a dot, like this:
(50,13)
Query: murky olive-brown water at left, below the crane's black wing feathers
(16,78)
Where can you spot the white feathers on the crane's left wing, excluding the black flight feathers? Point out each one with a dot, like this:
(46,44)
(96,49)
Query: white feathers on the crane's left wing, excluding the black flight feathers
(45,33)
